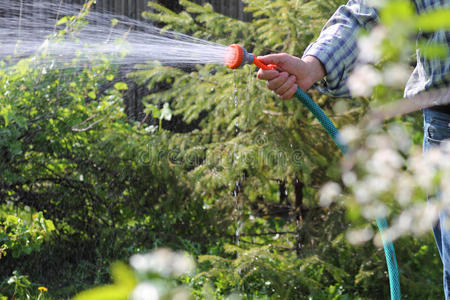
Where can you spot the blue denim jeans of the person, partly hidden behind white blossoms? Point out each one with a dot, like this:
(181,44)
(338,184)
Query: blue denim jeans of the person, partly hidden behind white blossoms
(436,129)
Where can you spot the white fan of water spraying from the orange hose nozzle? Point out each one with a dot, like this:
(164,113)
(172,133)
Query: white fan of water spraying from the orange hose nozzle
(31,28)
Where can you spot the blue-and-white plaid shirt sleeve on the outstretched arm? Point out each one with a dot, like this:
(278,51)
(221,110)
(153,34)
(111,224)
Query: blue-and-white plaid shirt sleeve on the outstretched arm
(337,47)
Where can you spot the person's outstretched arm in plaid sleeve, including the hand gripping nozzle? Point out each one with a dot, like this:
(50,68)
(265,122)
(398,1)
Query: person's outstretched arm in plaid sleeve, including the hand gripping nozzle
(333,54)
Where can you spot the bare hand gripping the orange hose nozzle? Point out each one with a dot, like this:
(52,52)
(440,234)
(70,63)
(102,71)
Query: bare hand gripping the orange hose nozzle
(293,73)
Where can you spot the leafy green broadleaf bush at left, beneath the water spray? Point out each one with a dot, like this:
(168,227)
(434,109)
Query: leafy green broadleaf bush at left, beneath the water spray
(69,152)
